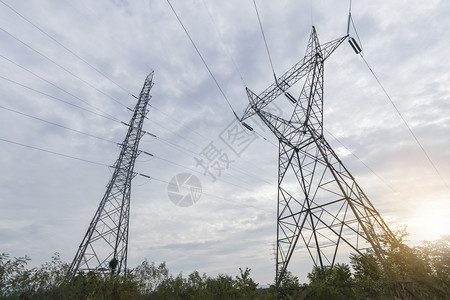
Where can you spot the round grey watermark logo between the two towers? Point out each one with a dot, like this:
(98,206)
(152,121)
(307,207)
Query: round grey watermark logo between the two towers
(184,189)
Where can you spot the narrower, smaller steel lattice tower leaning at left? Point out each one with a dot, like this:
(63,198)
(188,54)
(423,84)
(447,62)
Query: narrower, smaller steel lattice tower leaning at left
(105,245)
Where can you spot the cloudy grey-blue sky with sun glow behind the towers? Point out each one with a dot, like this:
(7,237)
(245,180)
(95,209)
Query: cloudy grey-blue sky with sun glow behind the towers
(78,65)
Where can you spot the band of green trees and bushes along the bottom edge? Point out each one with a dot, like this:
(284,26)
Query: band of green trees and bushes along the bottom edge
(403,273)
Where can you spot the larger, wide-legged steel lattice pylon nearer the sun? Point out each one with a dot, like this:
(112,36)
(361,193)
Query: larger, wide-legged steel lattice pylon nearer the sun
(321,208)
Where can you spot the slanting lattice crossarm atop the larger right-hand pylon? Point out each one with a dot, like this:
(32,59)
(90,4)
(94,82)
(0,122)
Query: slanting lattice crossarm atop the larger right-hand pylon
(293,75)
